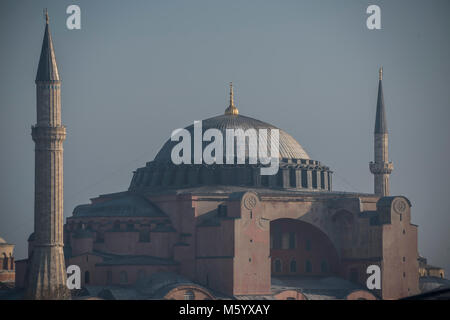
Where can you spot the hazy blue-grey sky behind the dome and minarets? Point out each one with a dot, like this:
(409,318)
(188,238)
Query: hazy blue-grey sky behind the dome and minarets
(139,69)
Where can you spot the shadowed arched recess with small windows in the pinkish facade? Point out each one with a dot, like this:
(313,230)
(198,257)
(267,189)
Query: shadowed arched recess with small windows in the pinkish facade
(298,248)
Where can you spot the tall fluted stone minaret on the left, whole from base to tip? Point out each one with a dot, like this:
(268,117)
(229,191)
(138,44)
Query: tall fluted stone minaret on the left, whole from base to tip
(46,275)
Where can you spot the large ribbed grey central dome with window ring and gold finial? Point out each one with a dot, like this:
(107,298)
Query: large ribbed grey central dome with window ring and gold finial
(296,169)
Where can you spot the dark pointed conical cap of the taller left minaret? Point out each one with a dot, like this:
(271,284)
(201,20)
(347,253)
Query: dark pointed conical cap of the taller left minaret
(47,69)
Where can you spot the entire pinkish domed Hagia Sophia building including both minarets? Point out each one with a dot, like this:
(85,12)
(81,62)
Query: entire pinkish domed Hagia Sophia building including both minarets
(217,231)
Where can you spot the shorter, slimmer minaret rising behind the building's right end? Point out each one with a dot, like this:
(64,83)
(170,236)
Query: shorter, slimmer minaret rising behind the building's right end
(381,168)
